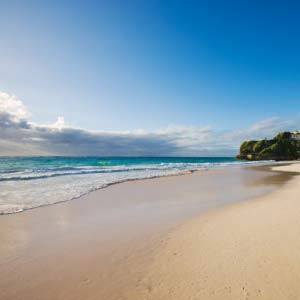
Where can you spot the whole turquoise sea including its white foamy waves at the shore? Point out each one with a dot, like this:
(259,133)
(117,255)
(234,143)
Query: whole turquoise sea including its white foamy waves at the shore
(29,182)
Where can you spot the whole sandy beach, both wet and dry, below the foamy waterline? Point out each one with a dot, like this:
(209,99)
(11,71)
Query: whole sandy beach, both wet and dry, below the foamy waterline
(136,240)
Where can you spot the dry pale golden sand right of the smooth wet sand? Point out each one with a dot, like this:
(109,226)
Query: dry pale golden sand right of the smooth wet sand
(249,250)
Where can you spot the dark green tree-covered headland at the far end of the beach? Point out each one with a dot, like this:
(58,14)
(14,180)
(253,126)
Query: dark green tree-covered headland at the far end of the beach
(284,146)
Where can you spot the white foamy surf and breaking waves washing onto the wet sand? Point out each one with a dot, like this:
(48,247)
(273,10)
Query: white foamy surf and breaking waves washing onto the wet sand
(33,189)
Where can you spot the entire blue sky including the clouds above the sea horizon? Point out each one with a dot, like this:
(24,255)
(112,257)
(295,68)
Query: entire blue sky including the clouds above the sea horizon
(188,78)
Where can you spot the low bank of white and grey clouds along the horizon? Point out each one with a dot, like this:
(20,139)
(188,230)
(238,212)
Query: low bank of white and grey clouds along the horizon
(19,136)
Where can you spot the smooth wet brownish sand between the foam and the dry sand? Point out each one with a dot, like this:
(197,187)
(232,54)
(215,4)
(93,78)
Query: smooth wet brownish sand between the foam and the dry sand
(103,245)
